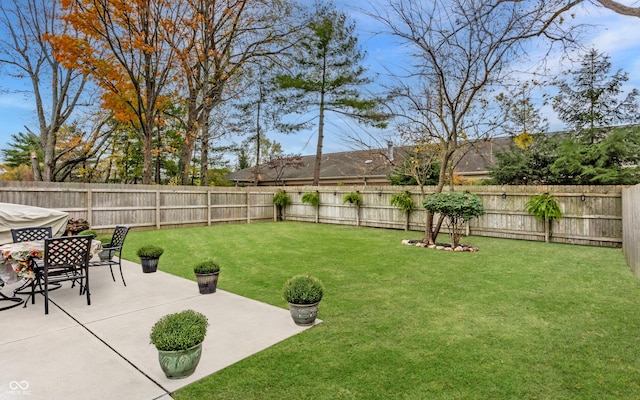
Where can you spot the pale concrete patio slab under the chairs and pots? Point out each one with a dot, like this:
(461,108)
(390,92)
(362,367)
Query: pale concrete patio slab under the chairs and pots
(102,351)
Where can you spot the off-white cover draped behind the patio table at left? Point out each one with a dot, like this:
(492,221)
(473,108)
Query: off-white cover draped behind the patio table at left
(21,216)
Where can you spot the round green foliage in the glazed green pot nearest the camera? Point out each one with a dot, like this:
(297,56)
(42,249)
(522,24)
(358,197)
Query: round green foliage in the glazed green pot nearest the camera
(179,331)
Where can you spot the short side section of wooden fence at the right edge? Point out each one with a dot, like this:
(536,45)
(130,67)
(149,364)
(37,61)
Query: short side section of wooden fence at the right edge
(631,227)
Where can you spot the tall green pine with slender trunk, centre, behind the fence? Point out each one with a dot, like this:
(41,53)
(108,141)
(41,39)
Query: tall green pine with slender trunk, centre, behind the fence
(327,75)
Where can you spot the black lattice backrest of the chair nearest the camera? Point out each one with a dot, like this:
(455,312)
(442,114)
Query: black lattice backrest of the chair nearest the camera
(67,252)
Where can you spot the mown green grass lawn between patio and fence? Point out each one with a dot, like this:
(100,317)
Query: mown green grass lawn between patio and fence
(517,320)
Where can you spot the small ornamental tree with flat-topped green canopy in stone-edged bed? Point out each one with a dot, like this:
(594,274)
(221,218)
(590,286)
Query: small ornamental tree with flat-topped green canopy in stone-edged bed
(457,208)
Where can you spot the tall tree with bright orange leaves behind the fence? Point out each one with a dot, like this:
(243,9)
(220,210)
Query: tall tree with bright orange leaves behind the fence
(121,44)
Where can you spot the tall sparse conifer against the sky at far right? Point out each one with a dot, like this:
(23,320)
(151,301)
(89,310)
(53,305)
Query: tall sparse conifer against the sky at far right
(591,102)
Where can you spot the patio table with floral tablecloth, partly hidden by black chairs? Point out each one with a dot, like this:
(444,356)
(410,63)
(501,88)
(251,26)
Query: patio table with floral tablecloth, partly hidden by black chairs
(15,263)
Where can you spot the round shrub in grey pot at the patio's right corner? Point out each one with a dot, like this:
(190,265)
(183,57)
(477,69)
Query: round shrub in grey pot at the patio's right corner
(303,293)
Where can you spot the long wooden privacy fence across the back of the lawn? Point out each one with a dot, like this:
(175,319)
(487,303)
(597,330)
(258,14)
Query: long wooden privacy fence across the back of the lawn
(592,214)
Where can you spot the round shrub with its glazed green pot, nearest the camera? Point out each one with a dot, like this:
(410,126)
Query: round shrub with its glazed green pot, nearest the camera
(178,338)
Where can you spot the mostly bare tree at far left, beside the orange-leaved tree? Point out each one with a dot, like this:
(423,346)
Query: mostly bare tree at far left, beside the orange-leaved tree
(57,88)
